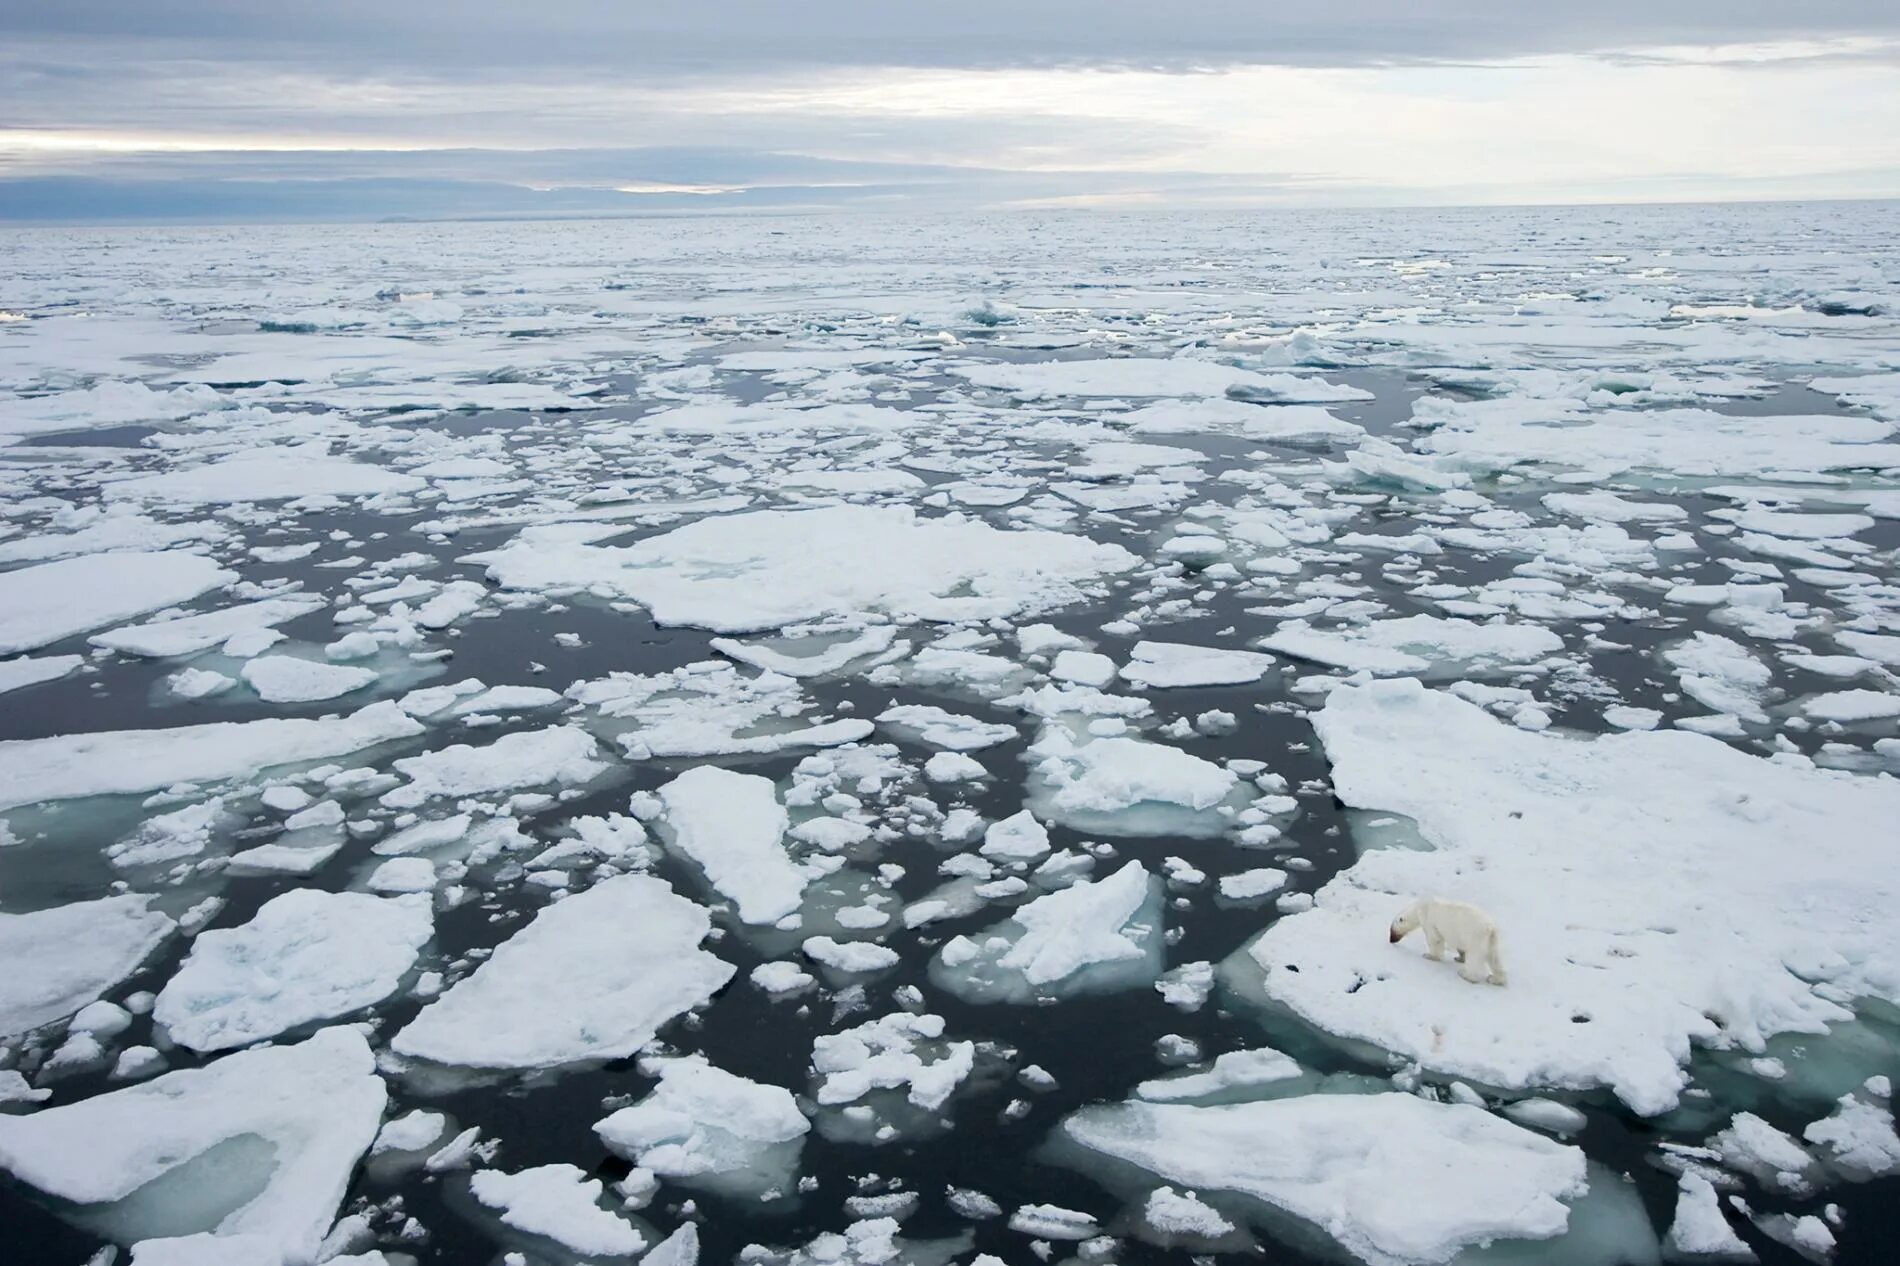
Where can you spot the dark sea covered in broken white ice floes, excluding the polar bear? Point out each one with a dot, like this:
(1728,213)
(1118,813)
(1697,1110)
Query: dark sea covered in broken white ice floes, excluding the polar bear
(962,674)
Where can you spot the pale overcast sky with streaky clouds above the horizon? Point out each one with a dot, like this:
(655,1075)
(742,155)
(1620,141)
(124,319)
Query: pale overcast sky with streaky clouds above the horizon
(375,109)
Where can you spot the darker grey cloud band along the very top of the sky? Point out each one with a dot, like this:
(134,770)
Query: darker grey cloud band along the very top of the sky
(656,37)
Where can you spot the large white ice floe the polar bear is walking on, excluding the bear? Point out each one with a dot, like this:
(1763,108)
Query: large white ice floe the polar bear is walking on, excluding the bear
(1643,883)
